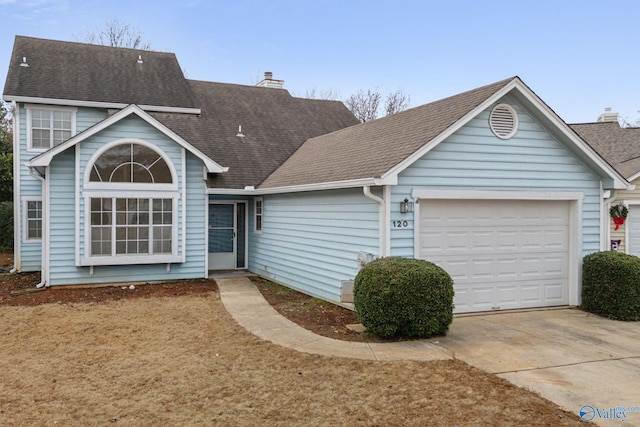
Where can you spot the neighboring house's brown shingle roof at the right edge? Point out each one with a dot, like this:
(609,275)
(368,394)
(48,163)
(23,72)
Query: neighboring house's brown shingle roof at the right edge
(618,146)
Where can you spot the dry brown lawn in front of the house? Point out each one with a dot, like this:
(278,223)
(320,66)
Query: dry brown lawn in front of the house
(183,361)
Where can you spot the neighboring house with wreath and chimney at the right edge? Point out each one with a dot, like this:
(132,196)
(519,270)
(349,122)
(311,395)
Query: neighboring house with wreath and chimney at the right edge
(621,148)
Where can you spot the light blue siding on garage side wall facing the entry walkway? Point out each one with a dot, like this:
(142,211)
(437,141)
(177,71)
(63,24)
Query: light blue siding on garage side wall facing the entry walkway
(310,241)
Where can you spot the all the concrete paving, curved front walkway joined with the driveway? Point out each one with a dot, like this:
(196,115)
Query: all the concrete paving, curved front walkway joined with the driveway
(582,362)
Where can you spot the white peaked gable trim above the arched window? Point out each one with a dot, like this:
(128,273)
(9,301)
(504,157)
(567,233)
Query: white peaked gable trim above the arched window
(45,158)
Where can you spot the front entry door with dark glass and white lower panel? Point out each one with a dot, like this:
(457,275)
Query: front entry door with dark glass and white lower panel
(222,236)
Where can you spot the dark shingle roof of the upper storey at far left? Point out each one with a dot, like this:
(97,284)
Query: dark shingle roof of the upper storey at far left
(85,72)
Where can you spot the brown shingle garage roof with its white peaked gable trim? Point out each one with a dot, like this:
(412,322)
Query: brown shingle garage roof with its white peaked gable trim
(379,150)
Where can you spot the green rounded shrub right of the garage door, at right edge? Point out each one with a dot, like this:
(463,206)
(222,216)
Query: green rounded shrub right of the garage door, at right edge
(611,285)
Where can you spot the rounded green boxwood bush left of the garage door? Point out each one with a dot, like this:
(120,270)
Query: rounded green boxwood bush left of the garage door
(404,297)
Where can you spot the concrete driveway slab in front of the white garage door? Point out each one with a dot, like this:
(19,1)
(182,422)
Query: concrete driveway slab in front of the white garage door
(584,363)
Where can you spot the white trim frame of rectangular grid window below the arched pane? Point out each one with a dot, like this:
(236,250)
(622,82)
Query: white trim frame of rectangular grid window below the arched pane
(126,259)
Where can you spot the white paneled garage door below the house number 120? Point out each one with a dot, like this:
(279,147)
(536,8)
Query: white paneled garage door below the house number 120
(501,254)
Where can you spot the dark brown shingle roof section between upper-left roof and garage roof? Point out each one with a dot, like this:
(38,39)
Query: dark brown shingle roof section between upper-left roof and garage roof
(274,123)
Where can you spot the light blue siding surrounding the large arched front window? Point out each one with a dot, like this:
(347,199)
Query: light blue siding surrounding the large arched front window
(65,235)
